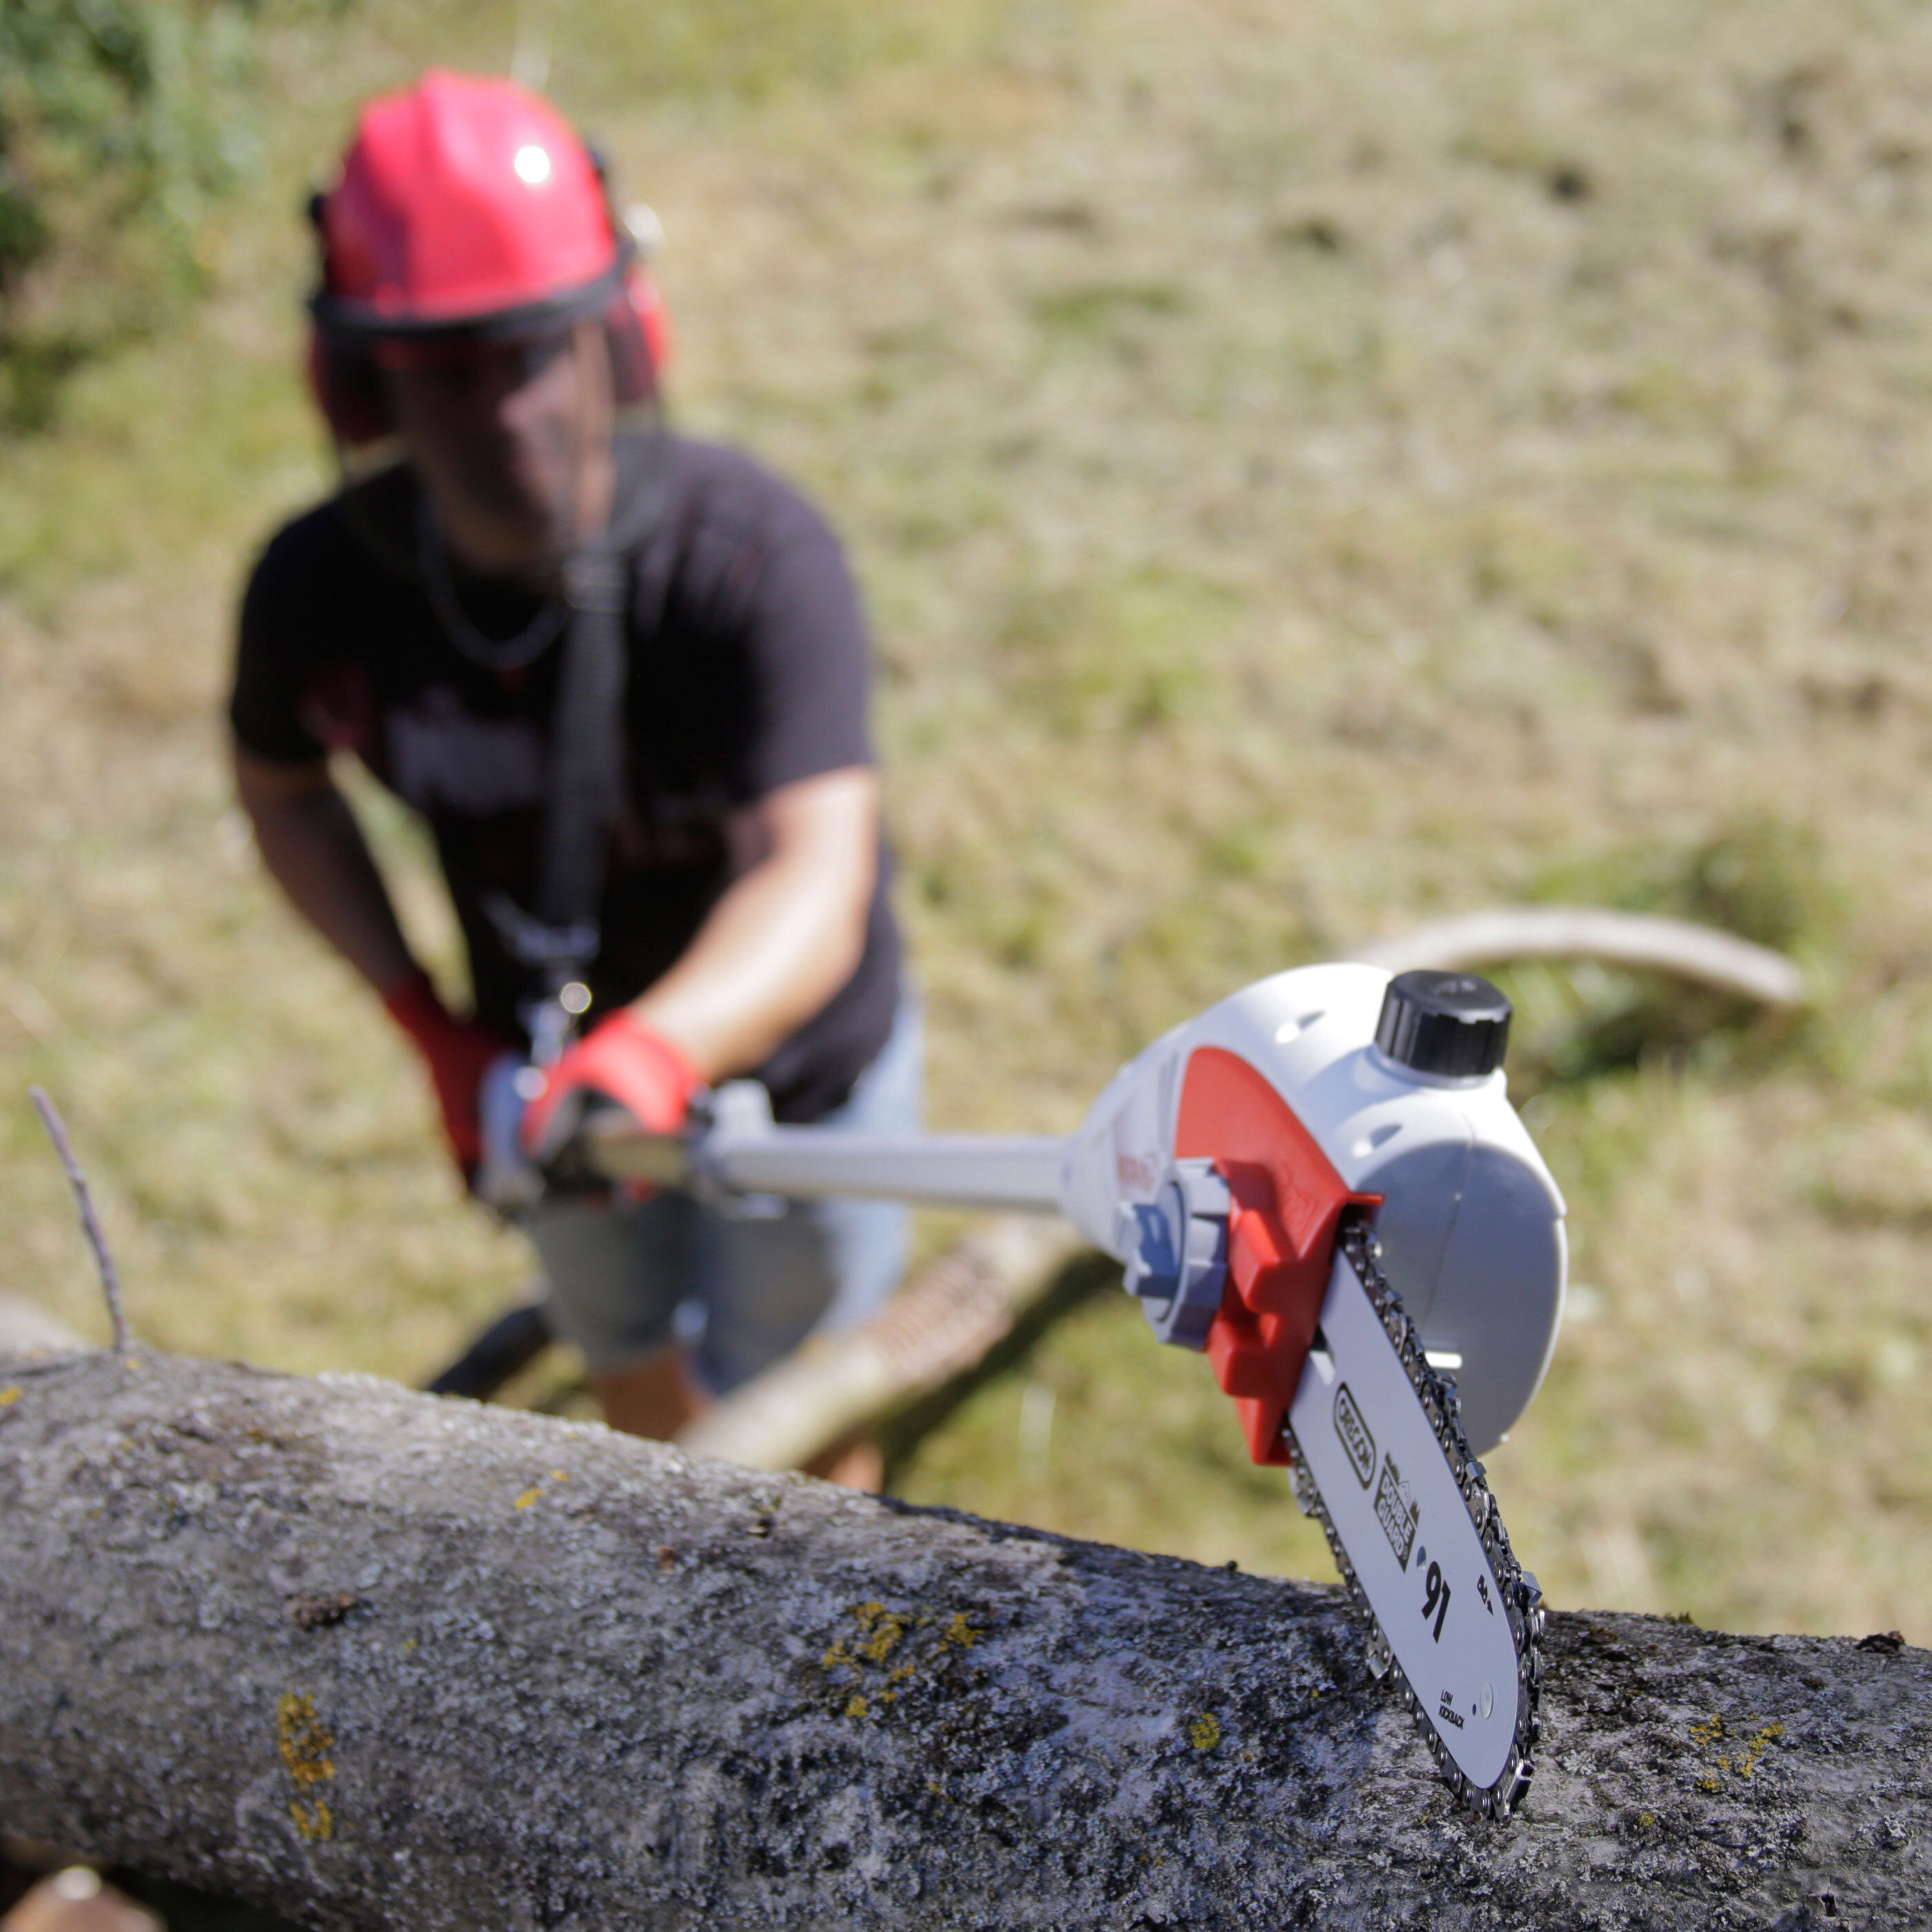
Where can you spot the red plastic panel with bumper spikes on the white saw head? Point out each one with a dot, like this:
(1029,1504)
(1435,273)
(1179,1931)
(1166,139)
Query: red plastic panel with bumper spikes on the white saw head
(1286,1210)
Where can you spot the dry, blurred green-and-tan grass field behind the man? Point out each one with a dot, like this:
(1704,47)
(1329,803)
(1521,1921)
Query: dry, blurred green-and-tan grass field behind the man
(1311,470)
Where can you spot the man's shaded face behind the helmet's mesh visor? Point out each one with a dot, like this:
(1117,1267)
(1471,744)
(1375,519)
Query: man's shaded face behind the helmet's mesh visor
(513,443)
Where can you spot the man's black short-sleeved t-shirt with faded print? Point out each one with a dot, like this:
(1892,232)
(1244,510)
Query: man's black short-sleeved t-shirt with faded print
(749,671)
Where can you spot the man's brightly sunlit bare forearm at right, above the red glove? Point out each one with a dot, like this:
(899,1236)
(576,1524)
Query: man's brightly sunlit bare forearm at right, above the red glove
(789,930)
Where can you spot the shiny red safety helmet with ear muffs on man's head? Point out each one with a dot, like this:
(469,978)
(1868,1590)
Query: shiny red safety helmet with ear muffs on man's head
(469,210)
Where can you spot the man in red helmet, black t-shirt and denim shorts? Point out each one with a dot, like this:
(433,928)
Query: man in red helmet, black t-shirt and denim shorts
(482,314)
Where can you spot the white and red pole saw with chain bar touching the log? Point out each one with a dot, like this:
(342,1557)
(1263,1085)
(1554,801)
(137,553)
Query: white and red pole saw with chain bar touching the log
(1322,1187)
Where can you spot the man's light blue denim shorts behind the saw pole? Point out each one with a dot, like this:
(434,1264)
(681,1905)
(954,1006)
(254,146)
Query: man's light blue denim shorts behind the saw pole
(741,1293)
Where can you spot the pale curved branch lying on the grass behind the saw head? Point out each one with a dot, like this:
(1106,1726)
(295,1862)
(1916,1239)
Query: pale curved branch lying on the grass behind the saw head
(1593,934)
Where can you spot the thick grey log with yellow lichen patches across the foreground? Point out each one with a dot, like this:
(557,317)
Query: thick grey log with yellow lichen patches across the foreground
(393,1662)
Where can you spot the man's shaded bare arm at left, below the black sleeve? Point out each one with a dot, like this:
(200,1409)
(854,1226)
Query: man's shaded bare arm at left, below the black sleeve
(314,849)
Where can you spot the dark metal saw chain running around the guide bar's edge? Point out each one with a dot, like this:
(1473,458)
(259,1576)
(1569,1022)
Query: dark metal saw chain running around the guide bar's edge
(1520,1591)
